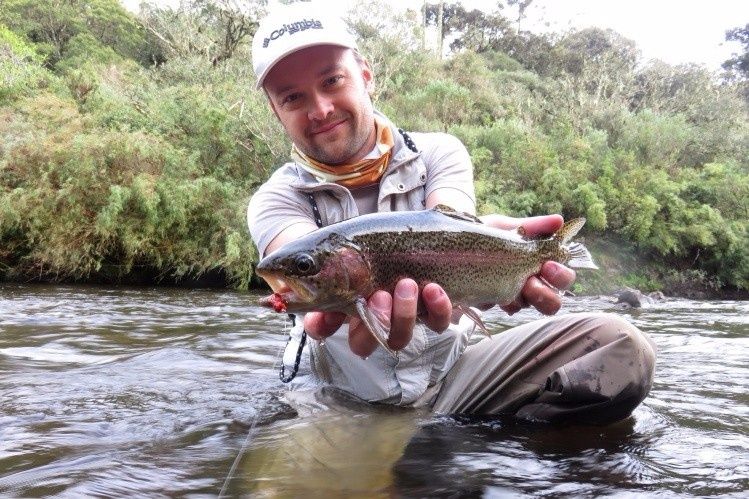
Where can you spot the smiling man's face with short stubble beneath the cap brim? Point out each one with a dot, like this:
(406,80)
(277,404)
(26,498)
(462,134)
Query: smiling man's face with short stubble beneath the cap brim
(321,96)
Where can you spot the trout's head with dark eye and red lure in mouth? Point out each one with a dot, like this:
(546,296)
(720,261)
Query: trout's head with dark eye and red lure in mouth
(311,274)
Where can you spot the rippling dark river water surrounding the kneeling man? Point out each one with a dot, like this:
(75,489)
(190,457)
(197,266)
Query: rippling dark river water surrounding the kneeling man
(155,392)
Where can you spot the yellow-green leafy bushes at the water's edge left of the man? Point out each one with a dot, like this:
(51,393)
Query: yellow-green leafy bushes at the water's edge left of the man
(80,201)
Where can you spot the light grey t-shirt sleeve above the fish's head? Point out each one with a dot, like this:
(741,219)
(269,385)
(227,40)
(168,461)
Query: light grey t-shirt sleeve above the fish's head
(272,209)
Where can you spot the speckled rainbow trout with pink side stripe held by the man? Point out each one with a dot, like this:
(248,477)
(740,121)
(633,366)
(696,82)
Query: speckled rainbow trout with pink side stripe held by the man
(336,268)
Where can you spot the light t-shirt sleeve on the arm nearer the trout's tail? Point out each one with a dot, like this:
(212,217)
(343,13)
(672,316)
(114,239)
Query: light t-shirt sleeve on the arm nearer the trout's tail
(448,165)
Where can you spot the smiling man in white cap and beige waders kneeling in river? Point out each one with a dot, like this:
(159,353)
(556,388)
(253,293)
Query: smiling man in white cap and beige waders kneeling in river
(348,159)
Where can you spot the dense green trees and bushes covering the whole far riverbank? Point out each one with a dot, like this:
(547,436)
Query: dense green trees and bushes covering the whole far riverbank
(130,146)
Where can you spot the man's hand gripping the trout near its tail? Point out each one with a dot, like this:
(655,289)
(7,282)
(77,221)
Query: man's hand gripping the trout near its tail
(535,292)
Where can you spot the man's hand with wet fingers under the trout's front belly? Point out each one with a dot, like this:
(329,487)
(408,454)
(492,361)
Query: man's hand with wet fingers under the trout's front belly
(399,308)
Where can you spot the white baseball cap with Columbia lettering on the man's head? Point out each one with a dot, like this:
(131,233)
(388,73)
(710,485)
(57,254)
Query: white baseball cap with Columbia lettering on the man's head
(294,27)
